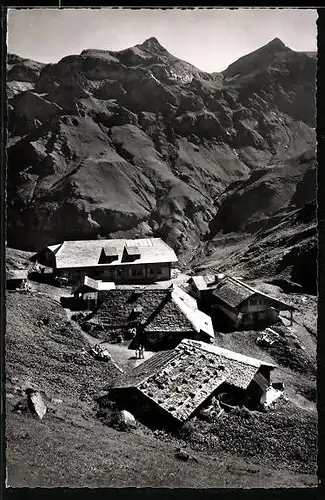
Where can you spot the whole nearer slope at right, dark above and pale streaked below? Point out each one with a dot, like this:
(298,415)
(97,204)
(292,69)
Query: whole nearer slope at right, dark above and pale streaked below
(265,227)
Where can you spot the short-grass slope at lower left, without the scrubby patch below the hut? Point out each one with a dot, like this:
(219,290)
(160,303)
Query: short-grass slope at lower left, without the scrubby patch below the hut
(70,447)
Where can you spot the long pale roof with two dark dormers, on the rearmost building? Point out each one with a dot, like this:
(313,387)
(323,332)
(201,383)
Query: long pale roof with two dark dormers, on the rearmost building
(86,253)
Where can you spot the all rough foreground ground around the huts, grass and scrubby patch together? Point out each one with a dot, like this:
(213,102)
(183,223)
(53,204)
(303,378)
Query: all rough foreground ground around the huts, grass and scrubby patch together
(70,446)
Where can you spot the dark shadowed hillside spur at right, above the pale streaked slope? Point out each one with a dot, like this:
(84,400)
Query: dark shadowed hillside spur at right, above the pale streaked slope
(259,201)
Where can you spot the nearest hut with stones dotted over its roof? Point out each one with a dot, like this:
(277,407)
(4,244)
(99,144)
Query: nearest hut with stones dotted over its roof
(179,382)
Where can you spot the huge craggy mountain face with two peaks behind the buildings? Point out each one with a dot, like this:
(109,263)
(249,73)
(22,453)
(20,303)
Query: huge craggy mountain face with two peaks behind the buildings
(138,142)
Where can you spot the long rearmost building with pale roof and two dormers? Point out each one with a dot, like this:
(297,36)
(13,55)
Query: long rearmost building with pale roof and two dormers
(143,260)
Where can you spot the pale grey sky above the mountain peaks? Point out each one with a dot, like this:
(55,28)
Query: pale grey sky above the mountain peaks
(211,39)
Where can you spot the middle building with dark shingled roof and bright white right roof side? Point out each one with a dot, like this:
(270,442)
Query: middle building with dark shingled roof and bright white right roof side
(165,316)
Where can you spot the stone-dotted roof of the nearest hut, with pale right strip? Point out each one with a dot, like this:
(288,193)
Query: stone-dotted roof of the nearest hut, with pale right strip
(181,379)
